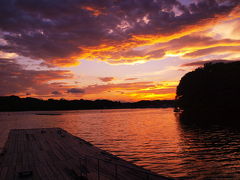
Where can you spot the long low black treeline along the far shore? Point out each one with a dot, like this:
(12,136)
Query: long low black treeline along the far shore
(15,103)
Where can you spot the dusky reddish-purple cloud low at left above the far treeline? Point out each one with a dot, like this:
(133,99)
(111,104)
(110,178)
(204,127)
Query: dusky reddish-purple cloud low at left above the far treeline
(14,79)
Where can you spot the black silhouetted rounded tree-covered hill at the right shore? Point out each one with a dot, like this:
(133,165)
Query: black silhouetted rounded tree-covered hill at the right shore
(210,93)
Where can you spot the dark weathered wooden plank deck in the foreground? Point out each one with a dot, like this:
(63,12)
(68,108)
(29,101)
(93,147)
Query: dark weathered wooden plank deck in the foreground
(56,154)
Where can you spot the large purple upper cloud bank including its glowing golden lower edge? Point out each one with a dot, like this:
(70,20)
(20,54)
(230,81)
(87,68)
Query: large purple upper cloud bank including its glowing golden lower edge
(111,31)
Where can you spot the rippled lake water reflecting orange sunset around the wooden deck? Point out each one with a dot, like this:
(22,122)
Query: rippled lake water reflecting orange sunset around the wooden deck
(152,138)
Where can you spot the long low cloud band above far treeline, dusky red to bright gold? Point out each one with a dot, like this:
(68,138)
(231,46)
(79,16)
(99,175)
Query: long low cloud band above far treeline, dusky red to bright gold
(57,84)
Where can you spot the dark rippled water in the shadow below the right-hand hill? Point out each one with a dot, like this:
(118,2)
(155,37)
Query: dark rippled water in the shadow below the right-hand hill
(210,150)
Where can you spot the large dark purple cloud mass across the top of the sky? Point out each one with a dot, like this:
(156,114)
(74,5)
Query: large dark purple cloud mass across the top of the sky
(58,31)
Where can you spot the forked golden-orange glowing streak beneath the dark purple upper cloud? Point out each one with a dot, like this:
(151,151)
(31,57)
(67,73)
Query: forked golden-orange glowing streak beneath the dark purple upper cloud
(123,52)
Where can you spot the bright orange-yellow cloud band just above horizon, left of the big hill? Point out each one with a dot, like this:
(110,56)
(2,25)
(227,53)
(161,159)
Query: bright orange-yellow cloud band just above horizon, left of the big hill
(120,91)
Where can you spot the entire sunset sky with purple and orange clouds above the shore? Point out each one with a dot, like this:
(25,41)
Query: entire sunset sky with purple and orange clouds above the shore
(121,50)
